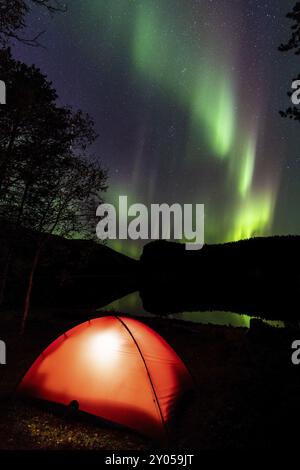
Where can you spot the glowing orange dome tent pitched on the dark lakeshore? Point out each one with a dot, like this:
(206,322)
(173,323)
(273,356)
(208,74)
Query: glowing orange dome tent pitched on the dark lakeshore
(114,367)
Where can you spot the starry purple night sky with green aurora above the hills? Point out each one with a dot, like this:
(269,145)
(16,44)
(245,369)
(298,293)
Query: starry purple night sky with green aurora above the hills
(186,97)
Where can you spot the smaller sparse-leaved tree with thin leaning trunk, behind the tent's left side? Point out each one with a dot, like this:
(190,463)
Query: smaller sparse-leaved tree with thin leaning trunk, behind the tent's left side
(63,201)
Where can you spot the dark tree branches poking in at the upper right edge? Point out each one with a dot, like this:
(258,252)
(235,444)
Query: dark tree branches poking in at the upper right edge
(293,45)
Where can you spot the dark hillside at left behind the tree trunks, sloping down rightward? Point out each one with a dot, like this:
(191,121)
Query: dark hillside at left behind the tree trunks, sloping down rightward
(72,273)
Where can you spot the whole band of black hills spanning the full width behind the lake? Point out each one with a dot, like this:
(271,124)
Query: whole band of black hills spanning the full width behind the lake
(258,277)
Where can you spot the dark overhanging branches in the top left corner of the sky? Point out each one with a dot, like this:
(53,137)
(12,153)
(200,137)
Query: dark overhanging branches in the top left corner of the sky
(13,15)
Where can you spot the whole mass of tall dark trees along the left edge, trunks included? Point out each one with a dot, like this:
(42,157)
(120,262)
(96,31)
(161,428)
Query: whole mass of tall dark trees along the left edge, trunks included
(48,182)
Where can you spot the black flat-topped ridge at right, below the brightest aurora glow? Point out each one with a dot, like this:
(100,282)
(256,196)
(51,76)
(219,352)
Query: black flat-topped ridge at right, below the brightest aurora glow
(259,276)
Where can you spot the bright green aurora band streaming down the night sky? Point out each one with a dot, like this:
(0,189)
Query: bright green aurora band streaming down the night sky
(200,81)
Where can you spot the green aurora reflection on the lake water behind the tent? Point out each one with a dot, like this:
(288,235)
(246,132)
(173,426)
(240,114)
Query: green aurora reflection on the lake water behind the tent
(132,304)
